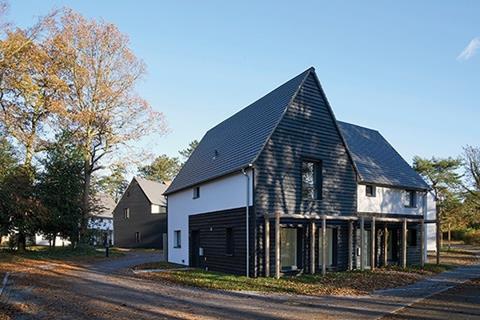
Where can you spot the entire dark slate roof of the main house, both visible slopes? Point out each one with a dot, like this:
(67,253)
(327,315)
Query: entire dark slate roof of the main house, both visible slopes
(236,142)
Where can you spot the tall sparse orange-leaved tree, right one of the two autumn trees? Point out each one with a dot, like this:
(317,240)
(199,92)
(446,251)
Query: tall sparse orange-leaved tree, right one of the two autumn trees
(104,110)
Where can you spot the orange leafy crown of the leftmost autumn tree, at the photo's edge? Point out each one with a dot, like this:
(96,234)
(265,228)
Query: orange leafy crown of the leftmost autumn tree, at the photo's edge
(31,90)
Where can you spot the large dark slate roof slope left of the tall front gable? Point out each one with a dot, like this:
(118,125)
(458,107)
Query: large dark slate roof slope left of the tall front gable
(236,142)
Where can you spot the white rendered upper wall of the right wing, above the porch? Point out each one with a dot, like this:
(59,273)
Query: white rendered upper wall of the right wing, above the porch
(387,200)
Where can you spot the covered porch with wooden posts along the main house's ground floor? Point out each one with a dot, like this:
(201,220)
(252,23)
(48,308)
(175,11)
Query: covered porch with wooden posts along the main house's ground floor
(320,243)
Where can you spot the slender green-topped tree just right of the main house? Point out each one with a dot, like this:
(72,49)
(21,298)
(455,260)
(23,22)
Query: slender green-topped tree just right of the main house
(442,175)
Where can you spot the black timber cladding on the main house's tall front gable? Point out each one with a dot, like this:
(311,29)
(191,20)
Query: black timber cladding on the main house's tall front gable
(308,130)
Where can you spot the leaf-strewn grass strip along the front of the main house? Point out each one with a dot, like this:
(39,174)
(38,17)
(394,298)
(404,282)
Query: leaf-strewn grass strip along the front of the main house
(334,283)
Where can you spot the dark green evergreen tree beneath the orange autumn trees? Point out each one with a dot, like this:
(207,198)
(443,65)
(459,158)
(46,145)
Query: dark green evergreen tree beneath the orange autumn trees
(60,190)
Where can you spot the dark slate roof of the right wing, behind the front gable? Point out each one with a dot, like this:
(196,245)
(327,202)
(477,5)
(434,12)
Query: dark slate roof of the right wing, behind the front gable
(376,161)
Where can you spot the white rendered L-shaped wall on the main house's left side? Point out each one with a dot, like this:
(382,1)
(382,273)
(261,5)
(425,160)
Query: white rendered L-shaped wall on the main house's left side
(221,194)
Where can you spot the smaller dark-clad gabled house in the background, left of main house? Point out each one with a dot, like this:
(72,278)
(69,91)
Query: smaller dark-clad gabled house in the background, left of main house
(140,217)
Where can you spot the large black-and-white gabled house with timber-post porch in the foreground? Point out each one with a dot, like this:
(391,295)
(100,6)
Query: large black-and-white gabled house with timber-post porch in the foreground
(282,187)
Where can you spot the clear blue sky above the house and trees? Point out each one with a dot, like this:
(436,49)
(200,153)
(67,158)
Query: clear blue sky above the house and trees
(394,66)
